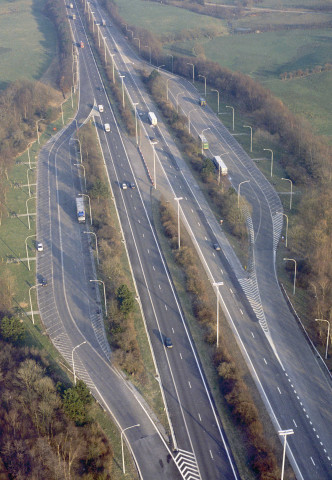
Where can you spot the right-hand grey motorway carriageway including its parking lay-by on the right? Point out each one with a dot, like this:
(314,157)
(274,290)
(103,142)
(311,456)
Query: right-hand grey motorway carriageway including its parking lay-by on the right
(273,344)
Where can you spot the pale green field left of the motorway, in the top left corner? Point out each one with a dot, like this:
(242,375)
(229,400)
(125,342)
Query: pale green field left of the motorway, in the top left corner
(27,40)
